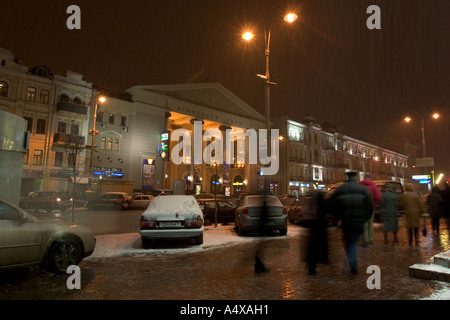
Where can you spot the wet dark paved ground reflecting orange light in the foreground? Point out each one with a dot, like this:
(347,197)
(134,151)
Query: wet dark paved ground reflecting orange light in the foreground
(226,273)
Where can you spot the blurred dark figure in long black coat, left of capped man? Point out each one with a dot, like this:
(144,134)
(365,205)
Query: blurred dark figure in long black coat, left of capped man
(318,241)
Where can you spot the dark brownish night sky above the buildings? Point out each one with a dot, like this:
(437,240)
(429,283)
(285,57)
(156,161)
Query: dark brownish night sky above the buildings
(328,64)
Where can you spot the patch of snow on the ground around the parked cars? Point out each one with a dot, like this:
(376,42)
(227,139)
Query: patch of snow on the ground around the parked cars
(213,237)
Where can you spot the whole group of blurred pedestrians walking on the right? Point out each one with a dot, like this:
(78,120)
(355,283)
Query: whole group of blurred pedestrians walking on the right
(354,203)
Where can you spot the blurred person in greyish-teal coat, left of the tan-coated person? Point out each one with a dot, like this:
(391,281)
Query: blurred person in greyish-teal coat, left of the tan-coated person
(389,212)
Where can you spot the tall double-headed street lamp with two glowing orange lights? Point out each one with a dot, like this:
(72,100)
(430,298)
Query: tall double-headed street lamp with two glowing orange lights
(248,36)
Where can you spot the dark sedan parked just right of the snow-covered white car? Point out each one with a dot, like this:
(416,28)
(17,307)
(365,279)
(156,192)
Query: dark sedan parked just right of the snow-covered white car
(248,216)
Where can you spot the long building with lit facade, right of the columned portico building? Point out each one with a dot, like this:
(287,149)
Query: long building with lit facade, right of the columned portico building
(313,157)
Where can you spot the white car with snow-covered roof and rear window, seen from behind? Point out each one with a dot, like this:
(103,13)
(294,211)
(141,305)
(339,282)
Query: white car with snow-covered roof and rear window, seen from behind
(172,217)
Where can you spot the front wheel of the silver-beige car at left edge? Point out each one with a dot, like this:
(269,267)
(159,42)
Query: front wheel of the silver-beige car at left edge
(63,254)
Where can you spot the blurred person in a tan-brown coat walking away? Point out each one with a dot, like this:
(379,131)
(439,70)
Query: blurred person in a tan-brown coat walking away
(413,208)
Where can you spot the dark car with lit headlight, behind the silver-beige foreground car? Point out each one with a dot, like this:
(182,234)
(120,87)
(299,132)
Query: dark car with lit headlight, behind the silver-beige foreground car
(47,200)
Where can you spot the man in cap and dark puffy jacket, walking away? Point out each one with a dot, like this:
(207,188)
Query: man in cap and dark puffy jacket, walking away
(353,204)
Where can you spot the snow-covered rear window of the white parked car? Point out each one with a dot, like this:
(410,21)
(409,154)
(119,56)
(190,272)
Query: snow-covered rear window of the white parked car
(174,204)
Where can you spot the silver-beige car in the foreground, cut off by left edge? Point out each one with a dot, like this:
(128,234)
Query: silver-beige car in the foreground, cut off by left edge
(26,241)
